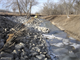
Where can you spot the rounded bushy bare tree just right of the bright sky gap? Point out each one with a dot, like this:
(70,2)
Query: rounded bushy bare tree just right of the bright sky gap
(51,8)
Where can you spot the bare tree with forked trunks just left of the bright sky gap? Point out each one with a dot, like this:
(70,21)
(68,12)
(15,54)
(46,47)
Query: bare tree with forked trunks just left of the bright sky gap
(26,6)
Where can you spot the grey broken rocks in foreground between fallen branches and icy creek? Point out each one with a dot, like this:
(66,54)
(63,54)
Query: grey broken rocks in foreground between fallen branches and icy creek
(31,46)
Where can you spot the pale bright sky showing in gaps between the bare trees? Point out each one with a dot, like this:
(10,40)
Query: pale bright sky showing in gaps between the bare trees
(35,8)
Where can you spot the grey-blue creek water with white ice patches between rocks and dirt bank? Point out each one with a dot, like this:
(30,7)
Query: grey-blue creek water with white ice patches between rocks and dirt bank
(59,44)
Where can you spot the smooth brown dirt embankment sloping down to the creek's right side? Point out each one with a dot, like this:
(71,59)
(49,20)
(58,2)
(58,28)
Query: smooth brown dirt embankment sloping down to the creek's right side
(70,25)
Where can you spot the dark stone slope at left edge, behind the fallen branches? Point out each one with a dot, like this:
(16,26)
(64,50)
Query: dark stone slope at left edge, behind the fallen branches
(5,26)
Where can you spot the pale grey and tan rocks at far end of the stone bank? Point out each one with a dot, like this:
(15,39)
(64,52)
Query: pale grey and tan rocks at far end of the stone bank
(31,23)
